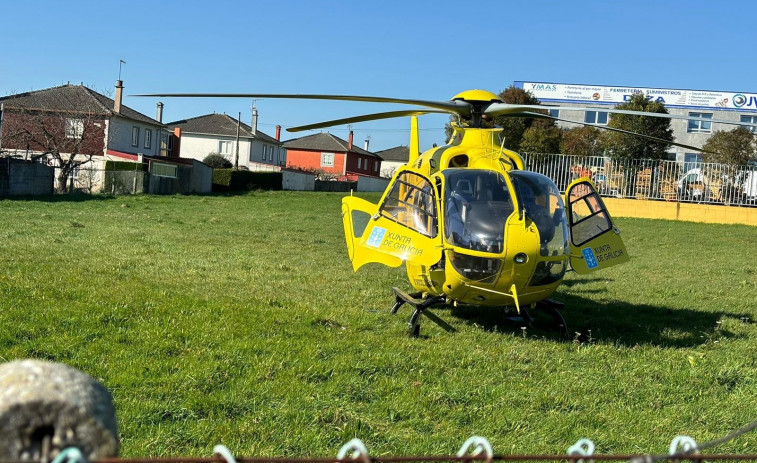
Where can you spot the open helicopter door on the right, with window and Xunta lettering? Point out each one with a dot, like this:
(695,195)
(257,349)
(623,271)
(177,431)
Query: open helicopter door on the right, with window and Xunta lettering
(595,242)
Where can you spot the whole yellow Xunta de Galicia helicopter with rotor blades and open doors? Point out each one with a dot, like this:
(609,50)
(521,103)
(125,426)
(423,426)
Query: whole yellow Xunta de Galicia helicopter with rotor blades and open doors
(470,223)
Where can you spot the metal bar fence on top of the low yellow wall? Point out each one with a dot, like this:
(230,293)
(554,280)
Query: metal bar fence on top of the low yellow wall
(658,180)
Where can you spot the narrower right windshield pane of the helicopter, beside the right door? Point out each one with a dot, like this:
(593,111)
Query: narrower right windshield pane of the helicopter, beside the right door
(540,199)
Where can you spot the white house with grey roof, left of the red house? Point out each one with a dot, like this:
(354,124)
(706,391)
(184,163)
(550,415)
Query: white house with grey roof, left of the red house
(200,136)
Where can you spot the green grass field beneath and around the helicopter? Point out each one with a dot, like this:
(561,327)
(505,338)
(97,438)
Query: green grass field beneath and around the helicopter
(238,320)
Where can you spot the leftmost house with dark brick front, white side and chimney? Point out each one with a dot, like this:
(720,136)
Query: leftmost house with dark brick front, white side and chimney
(55,122)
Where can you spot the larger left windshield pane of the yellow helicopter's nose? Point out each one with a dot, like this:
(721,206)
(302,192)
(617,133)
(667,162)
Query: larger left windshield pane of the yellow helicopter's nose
(477,204)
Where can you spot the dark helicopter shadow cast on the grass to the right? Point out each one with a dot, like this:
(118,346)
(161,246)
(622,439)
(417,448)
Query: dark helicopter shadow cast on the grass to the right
(619,323)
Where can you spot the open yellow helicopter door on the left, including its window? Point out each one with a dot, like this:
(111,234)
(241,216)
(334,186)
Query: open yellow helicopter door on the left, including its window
(404,227)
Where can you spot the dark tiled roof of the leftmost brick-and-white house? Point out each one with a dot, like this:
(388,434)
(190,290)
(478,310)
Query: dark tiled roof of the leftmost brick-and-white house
(72,98)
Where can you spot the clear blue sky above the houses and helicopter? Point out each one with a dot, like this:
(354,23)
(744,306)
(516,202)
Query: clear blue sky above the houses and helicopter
(410,49)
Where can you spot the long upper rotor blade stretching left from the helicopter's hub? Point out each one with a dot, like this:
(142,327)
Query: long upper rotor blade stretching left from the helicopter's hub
(456,107)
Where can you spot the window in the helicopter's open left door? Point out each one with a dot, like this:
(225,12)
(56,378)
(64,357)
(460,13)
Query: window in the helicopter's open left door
(411,202)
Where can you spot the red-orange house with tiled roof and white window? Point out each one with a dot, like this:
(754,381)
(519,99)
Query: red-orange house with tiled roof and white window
(331,155)
